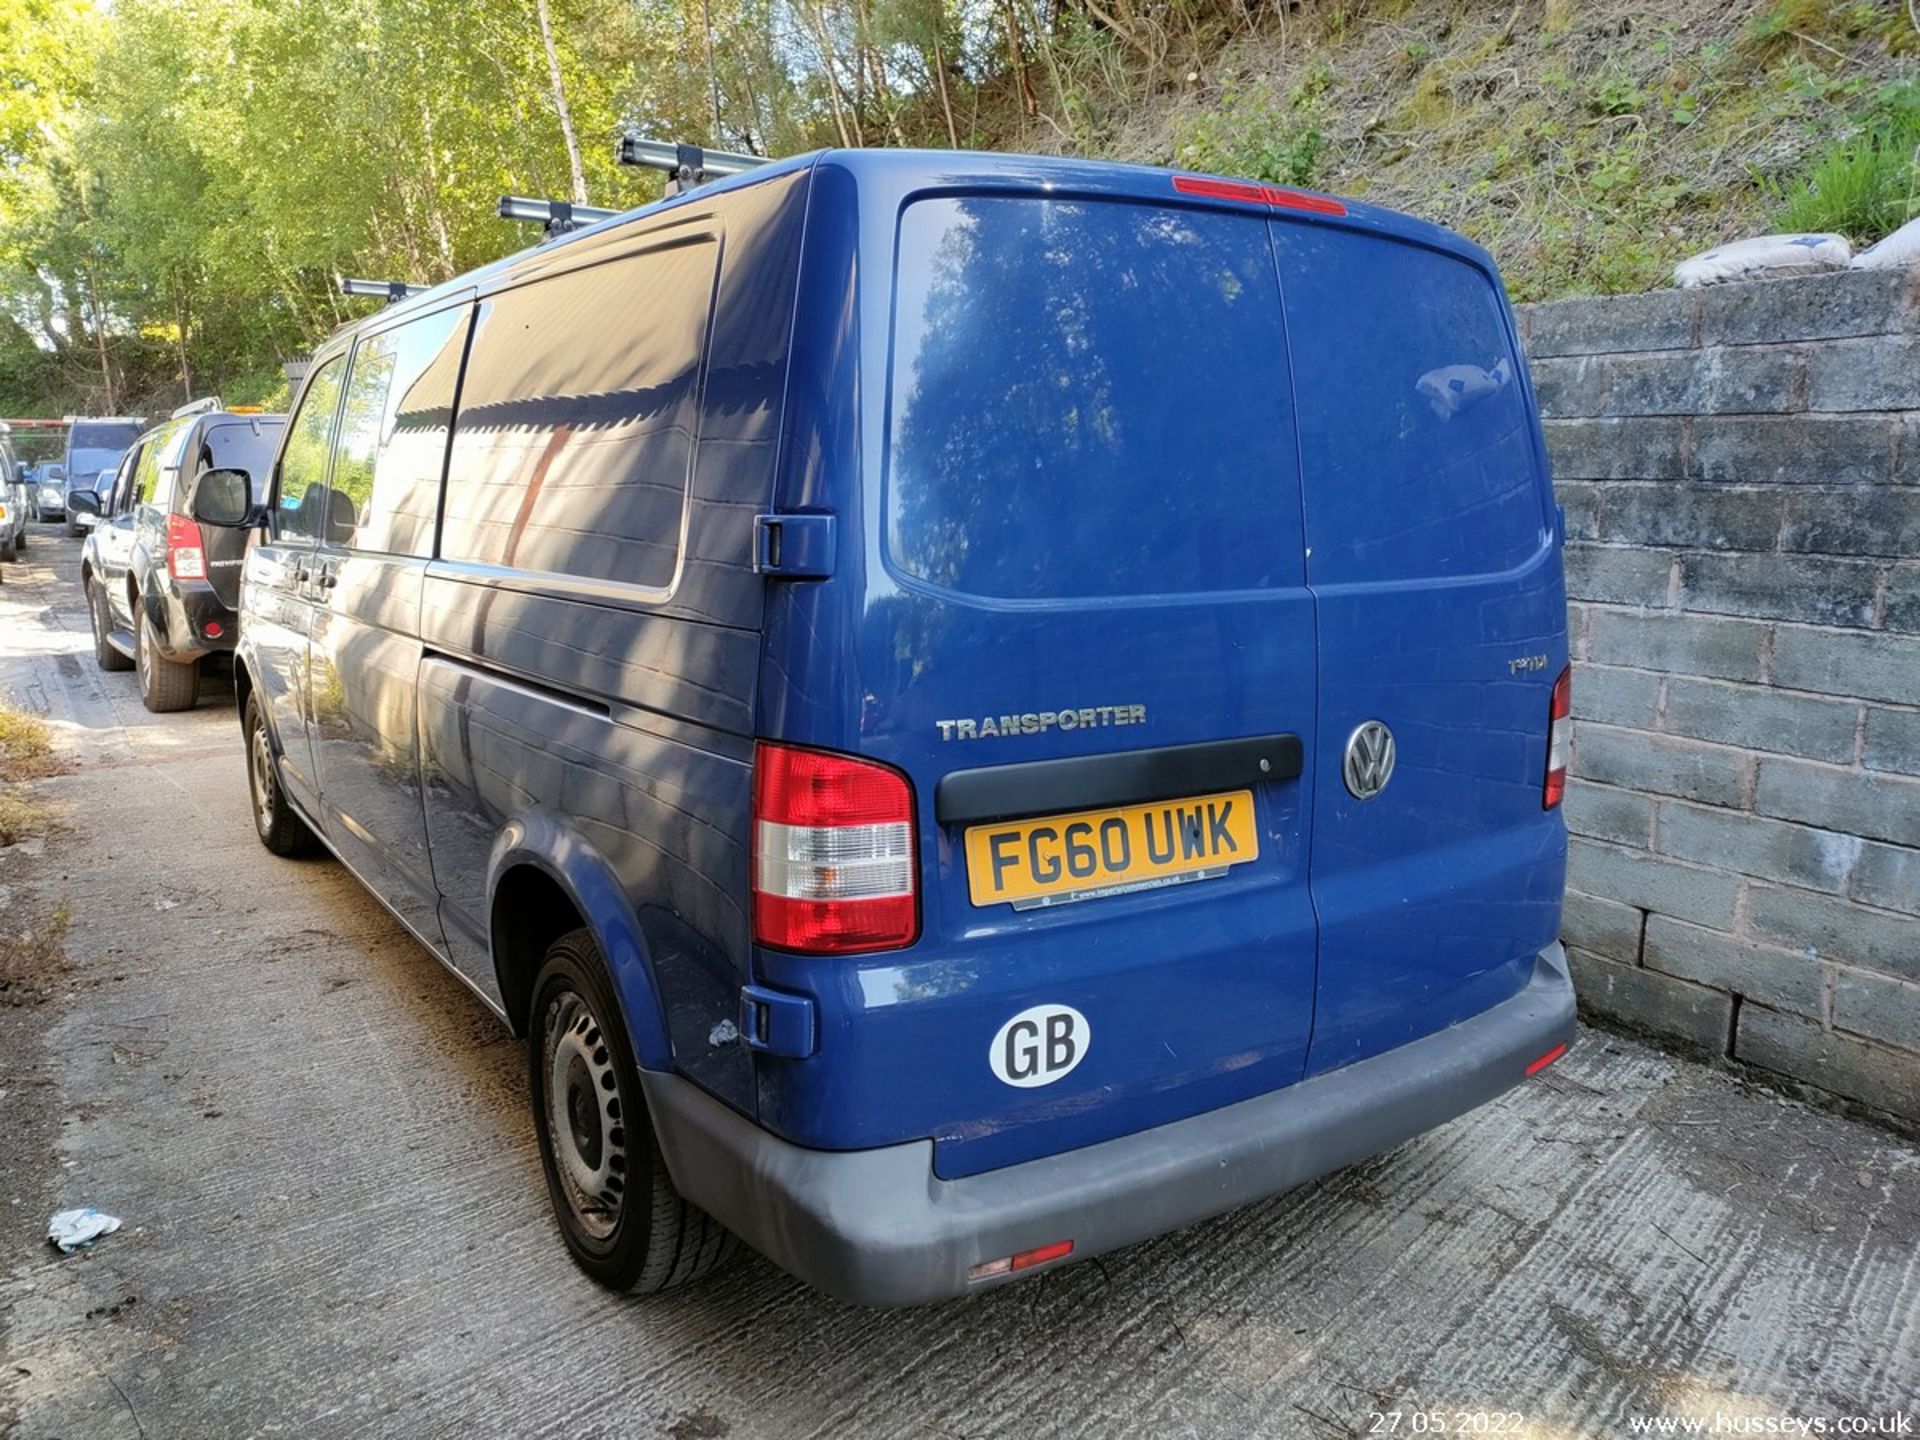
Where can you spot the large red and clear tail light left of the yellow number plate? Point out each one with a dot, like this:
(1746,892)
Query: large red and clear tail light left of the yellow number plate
(832,853)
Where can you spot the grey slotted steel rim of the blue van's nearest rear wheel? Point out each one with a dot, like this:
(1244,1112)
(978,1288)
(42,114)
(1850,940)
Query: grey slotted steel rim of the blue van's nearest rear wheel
(585,1128)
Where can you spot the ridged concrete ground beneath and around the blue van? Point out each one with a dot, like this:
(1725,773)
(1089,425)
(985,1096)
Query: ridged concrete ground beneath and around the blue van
(337,1222)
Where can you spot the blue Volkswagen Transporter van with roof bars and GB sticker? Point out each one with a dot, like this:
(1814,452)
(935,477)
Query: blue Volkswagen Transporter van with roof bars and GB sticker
(971,709)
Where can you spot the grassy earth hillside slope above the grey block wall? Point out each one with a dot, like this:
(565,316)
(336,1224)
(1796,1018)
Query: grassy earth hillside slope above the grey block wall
(1587,143)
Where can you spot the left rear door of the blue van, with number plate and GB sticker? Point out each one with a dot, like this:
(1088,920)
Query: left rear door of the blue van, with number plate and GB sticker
(1088,560)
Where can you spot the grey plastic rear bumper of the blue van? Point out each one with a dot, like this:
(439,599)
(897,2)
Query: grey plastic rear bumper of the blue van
(878,1228)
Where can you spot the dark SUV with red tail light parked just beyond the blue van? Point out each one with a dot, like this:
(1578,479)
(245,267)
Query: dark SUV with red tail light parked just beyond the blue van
(162,590)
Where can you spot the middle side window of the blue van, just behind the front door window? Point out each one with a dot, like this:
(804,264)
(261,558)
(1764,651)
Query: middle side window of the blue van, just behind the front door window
(395,437)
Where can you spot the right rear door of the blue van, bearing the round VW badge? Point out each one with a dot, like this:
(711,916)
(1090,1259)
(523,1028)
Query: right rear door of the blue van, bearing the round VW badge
(1437,581)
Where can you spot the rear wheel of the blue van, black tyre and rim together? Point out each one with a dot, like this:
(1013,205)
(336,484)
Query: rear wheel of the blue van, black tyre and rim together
(619,1212)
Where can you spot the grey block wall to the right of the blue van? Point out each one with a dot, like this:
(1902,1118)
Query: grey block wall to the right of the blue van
(1740,469)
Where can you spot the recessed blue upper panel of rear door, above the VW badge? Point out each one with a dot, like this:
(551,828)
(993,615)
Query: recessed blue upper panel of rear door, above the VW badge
(1416,439)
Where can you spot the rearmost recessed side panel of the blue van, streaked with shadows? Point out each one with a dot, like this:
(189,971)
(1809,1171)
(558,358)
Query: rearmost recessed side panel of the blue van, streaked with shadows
(575,439)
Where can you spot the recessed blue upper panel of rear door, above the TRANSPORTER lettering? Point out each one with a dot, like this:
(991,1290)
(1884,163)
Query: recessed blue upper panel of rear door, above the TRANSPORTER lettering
(1088,398)
